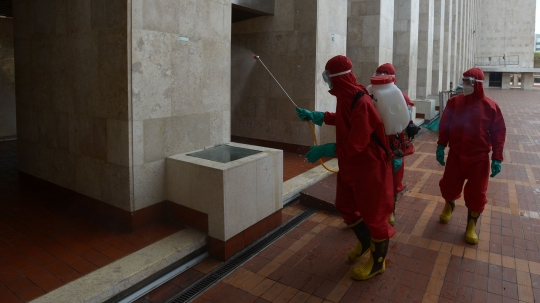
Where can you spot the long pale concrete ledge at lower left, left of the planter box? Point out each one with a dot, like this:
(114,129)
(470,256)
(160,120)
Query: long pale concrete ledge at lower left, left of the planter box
(118,276)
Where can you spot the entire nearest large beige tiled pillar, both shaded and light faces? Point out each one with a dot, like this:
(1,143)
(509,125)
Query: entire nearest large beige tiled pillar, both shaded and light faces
(115,106)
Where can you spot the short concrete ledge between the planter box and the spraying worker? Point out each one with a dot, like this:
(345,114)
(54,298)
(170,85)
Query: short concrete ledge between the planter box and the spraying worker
(295,185)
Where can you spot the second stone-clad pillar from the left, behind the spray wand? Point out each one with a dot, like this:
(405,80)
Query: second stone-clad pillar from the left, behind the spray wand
(290,45)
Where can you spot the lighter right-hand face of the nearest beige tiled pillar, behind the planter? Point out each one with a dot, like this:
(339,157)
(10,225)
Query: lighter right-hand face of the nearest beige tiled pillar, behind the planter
(180,90)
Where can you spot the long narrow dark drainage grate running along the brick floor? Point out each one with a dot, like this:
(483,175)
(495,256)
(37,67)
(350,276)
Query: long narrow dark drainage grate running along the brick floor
(226,268)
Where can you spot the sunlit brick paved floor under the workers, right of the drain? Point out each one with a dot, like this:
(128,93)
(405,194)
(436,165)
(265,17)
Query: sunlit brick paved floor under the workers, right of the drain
(427,261)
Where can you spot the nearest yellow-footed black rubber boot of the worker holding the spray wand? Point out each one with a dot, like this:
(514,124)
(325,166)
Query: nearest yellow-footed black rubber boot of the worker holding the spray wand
(376,263)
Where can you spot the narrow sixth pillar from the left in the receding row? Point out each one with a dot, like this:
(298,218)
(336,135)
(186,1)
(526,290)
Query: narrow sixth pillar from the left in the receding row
(438,46)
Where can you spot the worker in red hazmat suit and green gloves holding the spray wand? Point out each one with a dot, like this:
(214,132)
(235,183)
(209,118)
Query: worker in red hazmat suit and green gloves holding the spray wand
(364,182)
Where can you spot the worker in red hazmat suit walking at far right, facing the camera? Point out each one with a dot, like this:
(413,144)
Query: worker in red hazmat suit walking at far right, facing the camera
(472,125)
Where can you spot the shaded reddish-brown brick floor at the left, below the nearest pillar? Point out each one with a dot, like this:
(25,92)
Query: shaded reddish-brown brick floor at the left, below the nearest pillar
(43,248)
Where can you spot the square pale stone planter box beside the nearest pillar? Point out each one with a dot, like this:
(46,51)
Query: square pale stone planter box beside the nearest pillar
(234,195)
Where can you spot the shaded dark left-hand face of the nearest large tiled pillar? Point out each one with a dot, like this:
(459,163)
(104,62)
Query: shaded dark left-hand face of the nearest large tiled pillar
(72,95)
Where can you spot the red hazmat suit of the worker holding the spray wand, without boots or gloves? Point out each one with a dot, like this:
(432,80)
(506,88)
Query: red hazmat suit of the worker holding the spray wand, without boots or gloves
(364,182)
